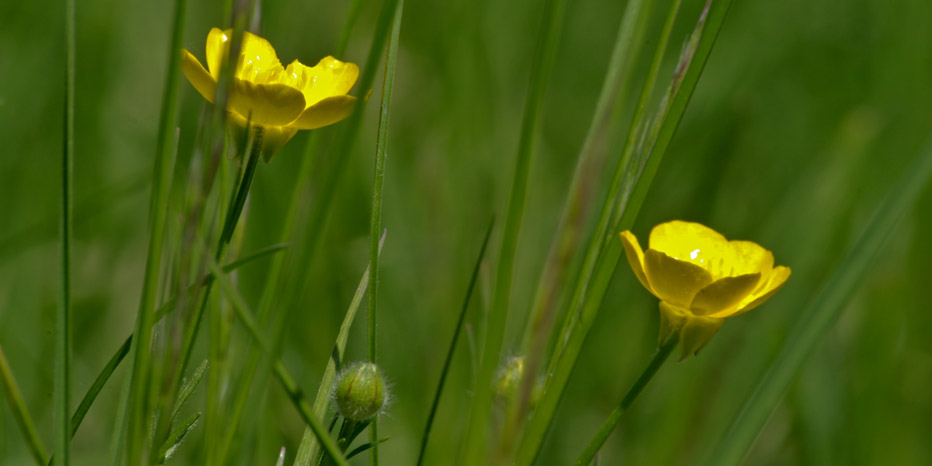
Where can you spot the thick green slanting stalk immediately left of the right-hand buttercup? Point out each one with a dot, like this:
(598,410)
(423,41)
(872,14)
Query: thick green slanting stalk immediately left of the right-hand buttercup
(592,291)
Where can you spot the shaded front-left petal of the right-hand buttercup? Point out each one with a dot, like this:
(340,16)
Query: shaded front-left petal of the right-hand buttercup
(673,280)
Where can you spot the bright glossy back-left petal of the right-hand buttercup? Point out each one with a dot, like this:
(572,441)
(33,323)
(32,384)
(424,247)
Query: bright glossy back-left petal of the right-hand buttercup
(691,242)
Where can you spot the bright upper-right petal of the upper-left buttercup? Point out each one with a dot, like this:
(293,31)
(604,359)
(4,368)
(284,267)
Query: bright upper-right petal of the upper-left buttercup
(329,77)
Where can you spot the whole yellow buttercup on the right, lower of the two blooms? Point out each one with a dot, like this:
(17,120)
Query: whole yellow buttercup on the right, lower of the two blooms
(701,278)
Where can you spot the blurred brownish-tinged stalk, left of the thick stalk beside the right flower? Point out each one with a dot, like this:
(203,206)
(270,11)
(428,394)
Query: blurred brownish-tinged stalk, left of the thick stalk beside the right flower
(577,206)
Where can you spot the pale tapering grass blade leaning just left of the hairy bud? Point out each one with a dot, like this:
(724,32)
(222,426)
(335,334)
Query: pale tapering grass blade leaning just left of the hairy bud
(309,447)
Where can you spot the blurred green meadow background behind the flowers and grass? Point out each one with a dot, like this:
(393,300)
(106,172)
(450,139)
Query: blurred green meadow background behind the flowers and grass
(803,118)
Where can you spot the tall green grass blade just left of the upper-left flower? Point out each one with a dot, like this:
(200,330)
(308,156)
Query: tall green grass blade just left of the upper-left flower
(158,209)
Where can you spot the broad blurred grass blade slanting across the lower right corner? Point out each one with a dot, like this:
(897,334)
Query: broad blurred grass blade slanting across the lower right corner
(822,313)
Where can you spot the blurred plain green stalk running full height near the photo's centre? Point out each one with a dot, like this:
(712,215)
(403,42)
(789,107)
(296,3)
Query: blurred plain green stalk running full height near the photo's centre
(541,67)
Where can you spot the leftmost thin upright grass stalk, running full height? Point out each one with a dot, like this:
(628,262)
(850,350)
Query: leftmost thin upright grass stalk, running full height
(62,385)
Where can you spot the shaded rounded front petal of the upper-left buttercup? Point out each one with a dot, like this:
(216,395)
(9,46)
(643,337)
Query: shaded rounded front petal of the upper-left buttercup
(265,104)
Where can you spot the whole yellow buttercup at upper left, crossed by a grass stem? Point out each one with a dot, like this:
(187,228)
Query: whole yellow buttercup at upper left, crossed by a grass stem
(279,99)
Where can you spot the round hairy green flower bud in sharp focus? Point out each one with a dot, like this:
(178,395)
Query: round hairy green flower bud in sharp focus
(360,391)
